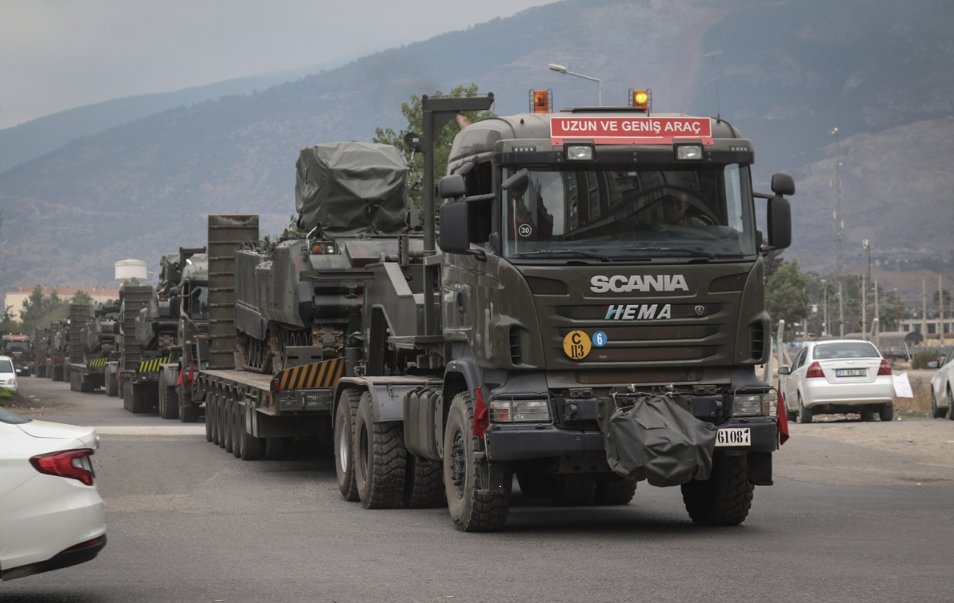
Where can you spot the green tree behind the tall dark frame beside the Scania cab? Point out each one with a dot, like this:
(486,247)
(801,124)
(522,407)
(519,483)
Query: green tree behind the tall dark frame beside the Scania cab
(414,114)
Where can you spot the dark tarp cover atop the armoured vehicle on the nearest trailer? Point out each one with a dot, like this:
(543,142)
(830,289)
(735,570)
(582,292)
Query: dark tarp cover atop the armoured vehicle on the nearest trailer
(351,188)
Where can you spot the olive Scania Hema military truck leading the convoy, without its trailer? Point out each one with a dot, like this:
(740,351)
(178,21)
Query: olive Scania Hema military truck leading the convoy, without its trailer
(593,318)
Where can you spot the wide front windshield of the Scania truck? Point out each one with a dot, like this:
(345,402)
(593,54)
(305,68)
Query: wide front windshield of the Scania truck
(702,211)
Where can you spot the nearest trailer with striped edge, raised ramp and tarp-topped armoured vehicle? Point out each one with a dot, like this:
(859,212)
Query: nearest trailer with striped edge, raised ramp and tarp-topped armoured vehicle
(286,311)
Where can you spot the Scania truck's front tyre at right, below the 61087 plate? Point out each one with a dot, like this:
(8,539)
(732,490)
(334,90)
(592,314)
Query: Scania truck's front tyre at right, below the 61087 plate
(725,498)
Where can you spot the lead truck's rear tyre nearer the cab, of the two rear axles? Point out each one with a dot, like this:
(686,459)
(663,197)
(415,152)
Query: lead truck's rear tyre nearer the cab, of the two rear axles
(379,459)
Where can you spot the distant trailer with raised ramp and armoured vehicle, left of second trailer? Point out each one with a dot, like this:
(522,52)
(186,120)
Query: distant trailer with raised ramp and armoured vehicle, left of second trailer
(92,344)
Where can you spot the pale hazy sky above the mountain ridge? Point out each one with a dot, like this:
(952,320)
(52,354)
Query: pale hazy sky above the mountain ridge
(59,54)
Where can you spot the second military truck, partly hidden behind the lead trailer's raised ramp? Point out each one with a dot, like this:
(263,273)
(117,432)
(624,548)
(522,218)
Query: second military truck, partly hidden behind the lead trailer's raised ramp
(184,283)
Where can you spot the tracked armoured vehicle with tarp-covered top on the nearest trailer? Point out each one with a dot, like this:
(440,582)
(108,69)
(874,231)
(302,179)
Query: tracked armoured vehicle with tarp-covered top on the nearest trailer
(306,290)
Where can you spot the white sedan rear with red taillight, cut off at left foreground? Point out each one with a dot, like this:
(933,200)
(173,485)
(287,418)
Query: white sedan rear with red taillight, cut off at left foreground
(51,515)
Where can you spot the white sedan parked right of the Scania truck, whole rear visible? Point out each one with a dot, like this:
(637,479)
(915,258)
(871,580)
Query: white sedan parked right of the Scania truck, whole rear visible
(838,376)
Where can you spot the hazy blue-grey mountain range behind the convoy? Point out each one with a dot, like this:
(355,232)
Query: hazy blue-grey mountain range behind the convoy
(785,73)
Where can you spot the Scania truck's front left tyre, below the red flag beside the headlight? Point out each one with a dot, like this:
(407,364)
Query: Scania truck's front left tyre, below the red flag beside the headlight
(471,509)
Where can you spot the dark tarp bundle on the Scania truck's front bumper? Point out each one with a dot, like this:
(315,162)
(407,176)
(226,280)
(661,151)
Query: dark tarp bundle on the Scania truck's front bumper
(659,441)
